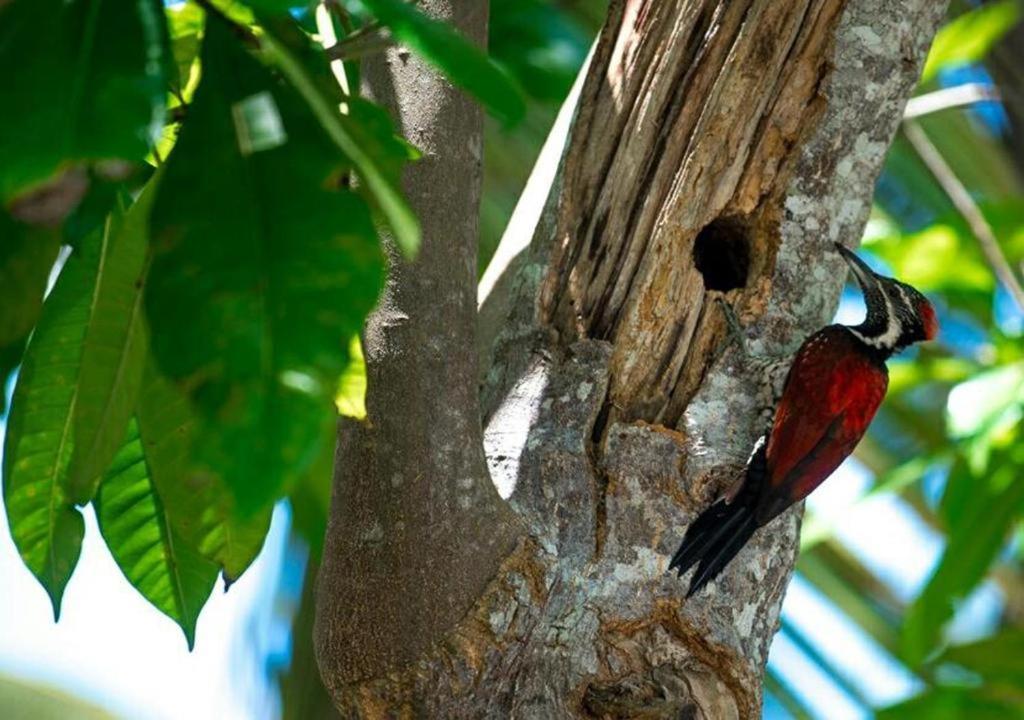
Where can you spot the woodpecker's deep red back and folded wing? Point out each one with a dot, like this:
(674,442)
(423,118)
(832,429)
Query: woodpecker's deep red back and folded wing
(833,391)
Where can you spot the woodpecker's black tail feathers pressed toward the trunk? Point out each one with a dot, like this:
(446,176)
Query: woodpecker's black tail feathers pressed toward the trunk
(721,531)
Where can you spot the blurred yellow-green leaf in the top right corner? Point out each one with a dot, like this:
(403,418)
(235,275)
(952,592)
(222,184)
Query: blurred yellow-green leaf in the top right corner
(970,37)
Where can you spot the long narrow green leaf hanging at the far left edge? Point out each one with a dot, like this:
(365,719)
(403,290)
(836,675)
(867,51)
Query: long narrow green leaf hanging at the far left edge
(47,527)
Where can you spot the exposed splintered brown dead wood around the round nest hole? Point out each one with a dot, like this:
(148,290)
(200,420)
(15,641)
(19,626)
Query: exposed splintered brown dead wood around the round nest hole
(689,133)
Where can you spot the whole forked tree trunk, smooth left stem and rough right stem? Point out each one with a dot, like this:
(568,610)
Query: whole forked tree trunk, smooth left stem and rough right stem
(718,151)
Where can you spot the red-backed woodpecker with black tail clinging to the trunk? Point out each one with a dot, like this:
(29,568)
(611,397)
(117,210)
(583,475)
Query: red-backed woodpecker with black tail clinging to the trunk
(833,389)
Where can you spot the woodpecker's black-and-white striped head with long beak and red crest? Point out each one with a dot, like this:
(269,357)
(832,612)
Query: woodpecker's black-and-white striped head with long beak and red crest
(898,315)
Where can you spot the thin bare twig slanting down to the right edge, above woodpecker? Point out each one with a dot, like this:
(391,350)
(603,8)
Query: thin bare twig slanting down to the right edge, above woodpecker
(965,204)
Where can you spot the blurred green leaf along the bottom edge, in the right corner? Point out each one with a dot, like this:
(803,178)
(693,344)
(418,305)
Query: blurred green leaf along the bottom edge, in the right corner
(955,704)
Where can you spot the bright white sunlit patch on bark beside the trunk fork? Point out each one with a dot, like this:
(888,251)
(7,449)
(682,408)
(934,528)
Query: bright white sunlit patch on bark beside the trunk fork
(507,435)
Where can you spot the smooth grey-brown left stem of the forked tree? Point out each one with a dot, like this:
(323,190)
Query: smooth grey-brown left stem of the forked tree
(417,529)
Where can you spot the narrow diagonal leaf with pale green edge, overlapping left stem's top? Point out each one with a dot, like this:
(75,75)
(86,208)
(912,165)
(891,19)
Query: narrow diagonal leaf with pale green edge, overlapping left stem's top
(360,136)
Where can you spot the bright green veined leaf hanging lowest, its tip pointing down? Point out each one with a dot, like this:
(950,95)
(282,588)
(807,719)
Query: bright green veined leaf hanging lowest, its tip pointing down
(155,559)
